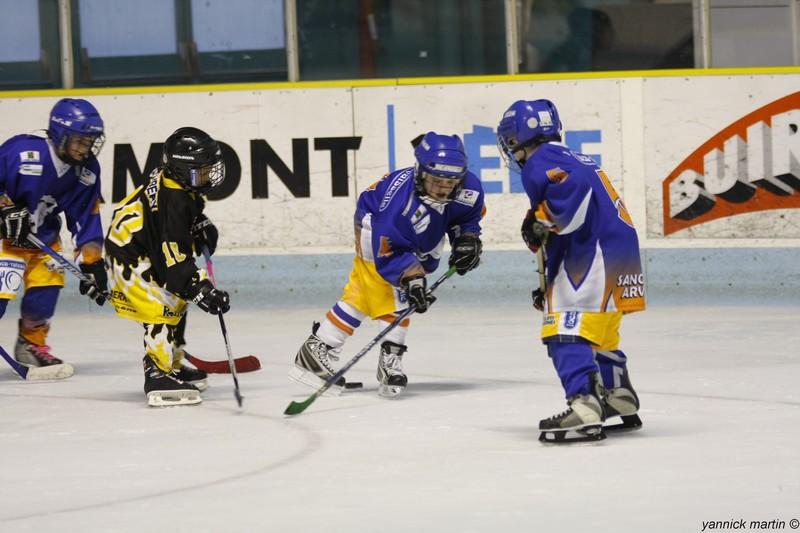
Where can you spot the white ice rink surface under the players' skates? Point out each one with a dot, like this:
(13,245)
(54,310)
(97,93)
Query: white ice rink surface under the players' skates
(458,452)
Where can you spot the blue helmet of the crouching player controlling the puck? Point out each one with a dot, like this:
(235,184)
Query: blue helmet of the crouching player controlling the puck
(440,168)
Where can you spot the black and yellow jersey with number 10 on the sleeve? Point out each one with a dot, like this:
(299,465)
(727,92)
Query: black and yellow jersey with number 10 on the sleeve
(150,233)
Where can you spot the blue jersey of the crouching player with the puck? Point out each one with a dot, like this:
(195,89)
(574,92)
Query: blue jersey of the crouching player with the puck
(397,230)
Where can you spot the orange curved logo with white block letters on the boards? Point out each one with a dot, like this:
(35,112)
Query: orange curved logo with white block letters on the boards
(752,165)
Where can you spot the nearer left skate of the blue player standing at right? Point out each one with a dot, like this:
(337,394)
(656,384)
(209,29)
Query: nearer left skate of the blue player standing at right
(582,422)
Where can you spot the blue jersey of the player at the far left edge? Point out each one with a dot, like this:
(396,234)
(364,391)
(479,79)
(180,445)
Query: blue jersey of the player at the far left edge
(32,175)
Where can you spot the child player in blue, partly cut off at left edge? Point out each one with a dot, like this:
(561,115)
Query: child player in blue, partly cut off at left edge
(42,176)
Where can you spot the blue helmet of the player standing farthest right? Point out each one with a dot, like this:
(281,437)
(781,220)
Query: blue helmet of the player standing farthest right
(527,123)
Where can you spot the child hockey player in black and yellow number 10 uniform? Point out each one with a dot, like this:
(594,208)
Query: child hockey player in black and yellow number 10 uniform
(153,236)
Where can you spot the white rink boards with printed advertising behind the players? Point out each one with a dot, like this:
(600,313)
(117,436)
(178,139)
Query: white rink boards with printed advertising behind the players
(700,160)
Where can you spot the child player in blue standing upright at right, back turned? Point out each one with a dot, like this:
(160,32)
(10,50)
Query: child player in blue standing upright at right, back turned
(593,270)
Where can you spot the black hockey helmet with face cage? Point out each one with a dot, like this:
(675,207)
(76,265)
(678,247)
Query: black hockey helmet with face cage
(194,159)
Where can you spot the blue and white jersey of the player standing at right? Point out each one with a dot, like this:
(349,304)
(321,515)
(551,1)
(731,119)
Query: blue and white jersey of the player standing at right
(593,261)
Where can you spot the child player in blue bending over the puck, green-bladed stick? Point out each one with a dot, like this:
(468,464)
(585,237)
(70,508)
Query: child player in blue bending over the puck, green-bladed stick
(400,226)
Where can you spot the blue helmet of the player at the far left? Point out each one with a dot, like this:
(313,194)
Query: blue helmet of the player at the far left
(78,119)
